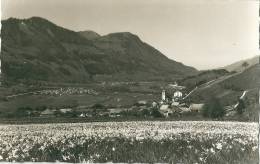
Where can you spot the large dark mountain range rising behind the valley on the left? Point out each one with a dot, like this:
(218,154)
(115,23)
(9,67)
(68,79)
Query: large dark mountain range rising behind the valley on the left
(36,49)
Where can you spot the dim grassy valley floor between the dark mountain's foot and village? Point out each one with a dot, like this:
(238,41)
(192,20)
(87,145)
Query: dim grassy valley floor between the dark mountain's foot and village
(109,94)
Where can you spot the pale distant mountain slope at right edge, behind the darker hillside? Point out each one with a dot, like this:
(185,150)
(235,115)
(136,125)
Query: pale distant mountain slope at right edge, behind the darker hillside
(242,65)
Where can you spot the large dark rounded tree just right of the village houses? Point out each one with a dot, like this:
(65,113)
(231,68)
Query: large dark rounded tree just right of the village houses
(213,109)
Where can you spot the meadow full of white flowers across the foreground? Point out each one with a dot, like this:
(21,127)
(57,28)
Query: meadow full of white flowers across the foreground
(141,141)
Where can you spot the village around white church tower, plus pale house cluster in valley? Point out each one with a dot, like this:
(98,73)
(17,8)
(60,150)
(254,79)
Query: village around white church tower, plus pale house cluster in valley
(173,102)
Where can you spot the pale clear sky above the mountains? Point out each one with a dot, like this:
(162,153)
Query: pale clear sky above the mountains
(205,34)
